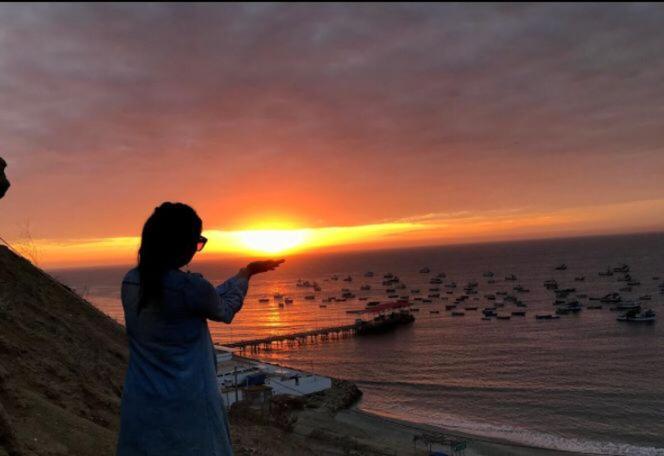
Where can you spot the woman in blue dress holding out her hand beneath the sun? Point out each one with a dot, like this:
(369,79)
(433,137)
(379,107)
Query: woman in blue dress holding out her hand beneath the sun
(171,404)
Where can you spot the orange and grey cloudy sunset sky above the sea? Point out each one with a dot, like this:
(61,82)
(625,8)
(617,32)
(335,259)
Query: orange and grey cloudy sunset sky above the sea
(303,127)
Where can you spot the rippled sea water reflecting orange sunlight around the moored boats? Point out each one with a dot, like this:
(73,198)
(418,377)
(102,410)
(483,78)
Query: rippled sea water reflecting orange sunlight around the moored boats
(582,383)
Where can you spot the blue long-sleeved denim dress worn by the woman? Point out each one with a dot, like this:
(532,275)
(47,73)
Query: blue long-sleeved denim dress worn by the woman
(171,404)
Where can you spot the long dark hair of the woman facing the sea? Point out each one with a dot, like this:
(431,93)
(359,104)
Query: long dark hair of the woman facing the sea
(168,242)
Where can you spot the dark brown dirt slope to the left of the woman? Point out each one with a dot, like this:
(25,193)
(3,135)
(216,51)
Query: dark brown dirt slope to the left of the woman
(62,364)
